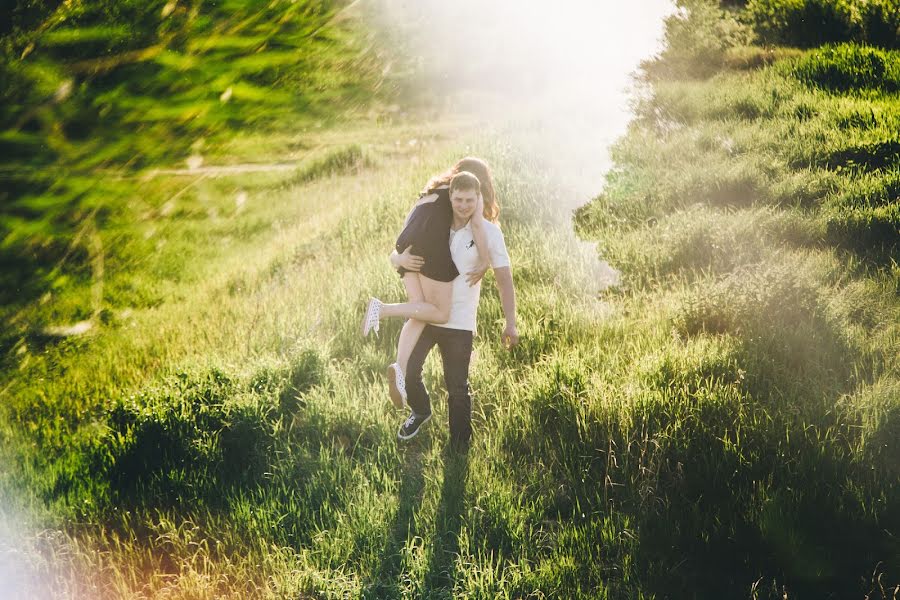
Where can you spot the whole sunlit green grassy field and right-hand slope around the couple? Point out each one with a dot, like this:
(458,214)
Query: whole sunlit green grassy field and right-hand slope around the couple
(187,408)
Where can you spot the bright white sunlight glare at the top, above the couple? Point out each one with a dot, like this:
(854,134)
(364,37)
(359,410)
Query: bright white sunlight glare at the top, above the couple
(559,73)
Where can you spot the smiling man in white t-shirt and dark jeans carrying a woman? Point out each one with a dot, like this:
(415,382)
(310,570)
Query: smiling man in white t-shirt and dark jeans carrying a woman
(454,338)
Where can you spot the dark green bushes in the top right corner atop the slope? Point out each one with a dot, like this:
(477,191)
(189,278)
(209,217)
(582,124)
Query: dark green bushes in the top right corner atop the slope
(809,23)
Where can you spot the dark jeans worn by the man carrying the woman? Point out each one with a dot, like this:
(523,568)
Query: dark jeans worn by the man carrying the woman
(456,350)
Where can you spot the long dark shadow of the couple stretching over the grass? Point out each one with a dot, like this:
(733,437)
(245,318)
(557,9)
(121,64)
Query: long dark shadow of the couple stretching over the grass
(441,571)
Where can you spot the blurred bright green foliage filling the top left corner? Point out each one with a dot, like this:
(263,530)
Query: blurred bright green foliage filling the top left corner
(91,91)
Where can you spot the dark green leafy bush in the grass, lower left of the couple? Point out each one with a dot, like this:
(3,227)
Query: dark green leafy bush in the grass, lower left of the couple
(186,438)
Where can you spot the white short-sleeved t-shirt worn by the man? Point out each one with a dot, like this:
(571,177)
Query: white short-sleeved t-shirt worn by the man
(465,255)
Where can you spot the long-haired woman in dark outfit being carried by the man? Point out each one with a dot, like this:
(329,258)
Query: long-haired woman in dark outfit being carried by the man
(422,257)
